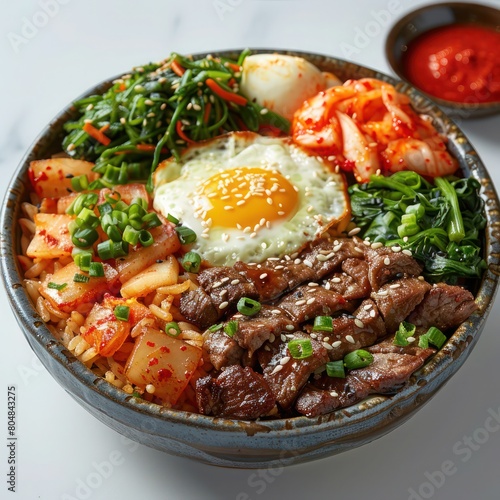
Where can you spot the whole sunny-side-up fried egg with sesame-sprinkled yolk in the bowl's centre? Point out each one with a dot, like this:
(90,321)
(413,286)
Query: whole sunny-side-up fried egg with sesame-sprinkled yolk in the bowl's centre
(249,197)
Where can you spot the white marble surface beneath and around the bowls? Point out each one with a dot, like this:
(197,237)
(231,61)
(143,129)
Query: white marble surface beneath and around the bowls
(60,446)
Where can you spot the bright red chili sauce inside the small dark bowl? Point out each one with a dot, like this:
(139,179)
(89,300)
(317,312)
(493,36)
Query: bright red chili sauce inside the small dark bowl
(460,63)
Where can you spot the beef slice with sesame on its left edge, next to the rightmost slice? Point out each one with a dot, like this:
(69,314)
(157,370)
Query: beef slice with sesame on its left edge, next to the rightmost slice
(398,299)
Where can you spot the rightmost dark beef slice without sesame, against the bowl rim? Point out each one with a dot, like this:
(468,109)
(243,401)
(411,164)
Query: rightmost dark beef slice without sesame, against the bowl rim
(444,306)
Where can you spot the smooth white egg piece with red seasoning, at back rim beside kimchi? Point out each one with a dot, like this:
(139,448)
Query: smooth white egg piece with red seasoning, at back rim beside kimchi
(282,83)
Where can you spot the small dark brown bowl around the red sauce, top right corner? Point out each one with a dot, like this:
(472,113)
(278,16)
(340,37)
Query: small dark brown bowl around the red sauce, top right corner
(432,16)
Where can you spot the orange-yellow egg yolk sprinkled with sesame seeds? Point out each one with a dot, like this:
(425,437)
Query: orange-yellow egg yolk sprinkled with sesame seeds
(248,197)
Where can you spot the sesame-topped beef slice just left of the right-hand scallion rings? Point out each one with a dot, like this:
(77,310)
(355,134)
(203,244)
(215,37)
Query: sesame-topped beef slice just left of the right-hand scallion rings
(360,330)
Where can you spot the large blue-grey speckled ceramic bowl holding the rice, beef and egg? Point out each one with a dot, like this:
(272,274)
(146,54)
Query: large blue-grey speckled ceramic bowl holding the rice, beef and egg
(238,443)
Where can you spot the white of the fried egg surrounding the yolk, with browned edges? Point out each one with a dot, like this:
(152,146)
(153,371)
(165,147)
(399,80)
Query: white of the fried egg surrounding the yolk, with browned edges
(322,198)
